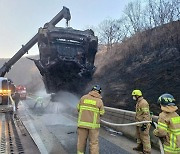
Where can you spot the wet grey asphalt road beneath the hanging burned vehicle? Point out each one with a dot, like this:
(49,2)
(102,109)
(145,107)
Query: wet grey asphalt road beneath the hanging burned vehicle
(54,129)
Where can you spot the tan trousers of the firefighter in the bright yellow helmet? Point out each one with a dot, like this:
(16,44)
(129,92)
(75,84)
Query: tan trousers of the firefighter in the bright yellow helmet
(143,138)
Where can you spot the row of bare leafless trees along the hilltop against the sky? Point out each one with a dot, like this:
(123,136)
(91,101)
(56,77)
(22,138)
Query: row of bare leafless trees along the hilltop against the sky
(138,17)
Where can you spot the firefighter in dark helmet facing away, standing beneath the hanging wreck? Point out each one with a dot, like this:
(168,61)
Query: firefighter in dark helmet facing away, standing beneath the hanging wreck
(90,108)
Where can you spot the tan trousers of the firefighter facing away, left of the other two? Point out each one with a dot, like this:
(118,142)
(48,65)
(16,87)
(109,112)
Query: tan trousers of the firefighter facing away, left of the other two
(83,135)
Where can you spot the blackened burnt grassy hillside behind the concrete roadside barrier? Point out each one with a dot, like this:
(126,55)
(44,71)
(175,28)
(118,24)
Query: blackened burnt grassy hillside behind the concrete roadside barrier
(149,61)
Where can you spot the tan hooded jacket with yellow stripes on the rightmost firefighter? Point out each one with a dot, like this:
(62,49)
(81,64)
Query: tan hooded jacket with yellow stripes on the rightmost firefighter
(169,129)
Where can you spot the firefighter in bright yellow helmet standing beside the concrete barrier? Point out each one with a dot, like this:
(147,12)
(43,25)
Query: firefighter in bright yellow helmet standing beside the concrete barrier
(142,130)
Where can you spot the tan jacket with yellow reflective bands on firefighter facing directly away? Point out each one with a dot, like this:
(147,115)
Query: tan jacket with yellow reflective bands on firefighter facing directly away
(90,108)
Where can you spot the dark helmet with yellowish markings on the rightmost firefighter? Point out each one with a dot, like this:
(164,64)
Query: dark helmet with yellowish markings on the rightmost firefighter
(166,100)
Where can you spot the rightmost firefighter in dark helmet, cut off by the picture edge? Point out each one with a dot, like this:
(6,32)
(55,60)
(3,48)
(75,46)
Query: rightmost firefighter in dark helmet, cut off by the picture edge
(168,128)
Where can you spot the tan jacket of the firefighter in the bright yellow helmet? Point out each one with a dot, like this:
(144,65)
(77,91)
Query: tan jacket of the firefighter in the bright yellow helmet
(142,110)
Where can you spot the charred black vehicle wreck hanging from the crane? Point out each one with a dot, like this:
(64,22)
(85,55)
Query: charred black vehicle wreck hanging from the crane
(66,57)
